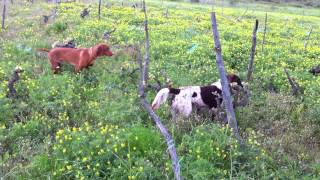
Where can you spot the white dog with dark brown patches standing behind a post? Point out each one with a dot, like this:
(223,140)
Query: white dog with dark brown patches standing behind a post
(199,96)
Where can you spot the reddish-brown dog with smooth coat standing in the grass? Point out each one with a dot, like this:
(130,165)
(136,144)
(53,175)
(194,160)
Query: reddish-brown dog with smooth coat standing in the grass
(79,58)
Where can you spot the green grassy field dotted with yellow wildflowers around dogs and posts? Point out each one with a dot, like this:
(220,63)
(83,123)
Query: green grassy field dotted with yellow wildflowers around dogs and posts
(91,125)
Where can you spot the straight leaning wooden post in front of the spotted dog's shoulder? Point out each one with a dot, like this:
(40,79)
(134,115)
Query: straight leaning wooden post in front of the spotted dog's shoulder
(224,81)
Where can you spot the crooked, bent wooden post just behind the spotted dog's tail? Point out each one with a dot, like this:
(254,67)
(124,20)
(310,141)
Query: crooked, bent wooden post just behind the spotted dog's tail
(143,79)
